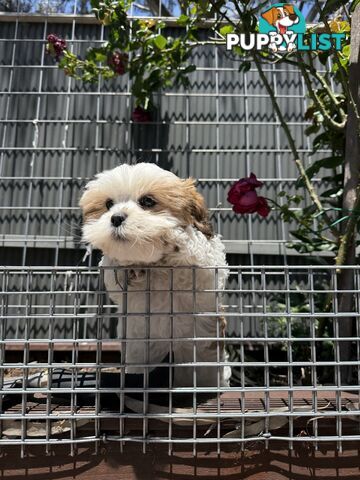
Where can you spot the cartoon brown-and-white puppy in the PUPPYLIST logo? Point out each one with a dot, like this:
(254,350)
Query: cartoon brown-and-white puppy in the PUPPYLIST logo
(281,18)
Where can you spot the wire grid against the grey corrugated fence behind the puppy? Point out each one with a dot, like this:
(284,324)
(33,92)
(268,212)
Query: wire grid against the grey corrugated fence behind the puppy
(56,133)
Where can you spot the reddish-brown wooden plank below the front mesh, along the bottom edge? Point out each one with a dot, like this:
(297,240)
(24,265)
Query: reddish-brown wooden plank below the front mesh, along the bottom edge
(255,463)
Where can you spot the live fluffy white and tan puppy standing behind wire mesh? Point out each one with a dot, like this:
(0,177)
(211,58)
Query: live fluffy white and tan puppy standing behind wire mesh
(143,216)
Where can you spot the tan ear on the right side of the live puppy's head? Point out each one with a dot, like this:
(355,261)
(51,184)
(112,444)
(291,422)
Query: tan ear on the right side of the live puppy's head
(197,209)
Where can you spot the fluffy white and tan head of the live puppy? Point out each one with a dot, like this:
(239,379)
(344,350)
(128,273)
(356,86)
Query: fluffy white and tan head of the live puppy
(130,212)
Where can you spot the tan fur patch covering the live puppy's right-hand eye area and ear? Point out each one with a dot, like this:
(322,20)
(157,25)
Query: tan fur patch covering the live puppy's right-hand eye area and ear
(184,202)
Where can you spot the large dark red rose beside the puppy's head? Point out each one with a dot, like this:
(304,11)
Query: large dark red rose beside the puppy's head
(243,197)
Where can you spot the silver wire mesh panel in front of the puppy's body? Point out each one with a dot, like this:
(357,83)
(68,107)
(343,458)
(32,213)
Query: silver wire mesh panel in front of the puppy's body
(297,396)
